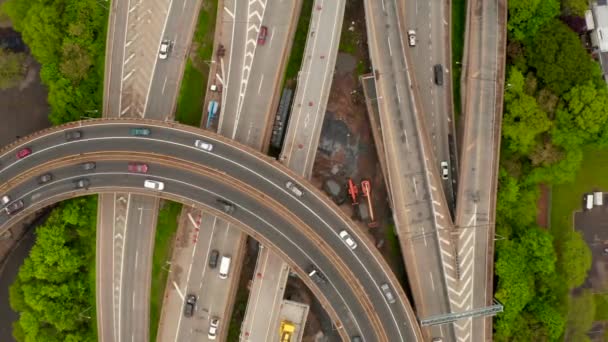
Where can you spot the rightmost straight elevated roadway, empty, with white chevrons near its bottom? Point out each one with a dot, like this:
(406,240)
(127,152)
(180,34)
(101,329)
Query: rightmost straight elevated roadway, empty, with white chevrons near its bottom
(483,83)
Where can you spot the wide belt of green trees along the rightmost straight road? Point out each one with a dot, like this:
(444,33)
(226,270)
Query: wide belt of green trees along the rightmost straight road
(555,110)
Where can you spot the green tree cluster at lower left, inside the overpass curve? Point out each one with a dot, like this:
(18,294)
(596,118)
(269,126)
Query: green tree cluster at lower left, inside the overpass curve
(53,292)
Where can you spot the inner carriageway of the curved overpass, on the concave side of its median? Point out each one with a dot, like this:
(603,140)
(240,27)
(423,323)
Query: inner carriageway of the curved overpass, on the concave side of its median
(266,222)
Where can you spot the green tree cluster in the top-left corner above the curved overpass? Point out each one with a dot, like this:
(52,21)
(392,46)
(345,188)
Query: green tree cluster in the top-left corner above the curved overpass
(67,37)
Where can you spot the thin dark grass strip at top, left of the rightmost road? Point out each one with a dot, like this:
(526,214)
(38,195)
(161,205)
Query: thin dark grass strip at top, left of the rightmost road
(459,8)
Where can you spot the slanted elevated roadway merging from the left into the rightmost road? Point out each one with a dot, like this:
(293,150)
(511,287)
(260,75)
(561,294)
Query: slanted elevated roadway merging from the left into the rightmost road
(421,215)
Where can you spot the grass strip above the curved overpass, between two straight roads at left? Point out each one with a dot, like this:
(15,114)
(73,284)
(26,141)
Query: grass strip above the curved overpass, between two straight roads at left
(194,83)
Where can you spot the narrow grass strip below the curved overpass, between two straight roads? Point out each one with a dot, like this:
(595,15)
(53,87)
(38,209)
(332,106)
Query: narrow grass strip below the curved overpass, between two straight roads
(165,233)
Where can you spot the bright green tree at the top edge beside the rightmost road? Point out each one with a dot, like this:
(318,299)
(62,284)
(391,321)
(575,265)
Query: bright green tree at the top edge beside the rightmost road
(527,16)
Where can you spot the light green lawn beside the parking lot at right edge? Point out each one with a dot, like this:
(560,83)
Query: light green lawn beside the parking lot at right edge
(566,198)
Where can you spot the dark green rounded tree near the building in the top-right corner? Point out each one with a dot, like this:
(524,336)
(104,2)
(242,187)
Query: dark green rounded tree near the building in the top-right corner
(559,58)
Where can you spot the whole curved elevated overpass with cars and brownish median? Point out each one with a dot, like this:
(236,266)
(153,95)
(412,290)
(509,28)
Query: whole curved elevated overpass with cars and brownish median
(230,172)
